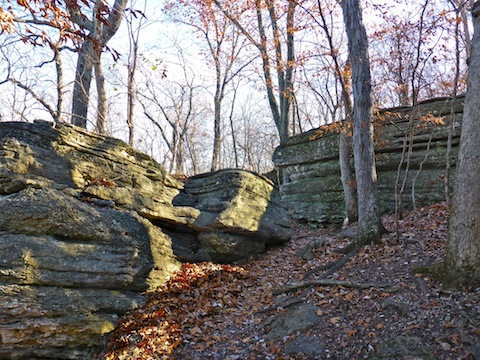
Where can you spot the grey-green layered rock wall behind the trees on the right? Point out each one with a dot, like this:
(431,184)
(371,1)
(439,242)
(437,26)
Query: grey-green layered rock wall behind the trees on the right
(314,192)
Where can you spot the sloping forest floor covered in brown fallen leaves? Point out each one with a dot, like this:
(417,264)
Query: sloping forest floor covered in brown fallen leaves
(210,311)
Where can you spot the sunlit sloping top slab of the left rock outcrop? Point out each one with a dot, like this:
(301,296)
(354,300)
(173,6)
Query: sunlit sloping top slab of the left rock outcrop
(103,167)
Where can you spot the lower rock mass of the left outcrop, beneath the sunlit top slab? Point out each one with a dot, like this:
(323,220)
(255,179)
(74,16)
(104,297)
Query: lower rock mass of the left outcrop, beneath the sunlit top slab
(69,270)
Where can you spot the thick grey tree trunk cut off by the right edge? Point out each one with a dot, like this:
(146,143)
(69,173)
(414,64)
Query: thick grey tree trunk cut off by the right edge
(462,265)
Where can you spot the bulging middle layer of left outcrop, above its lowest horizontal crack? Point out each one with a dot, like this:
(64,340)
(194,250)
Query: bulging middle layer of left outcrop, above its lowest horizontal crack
(49,238)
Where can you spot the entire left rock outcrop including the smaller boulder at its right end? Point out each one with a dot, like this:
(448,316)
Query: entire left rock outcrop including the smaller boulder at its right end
(87,224)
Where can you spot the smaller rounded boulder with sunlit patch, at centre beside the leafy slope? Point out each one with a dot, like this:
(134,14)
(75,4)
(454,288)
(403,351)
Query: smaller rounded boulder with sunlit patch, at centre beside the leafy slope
(239,215)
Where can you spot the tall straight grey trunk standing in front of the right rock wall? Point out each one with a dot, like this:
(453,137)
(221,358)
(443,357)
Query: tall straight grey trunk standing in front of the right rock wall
(369,220)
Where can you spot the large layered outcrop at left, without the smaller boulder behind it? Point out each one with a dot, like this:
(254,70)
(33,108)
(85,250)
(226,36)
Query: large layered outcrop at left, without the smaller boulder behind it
(71,263)
